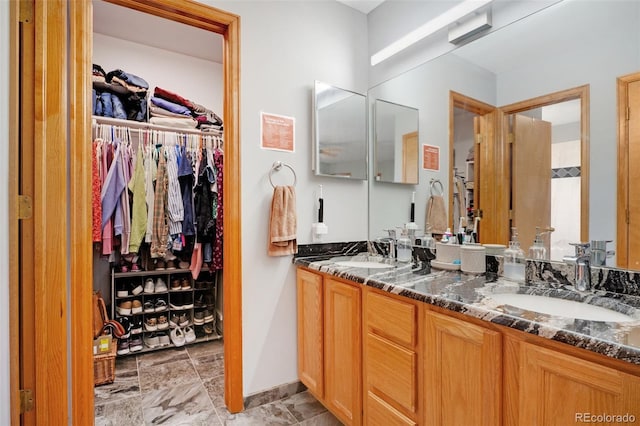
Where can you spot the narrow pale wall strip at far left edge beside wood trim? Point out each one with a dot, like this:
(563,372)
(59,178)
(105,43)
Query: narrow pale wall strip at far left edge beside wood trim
(5,397)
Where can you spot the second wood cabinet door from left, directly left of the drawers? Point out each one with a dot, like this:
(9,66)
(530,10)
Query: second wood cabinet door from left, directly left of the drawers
(343,351)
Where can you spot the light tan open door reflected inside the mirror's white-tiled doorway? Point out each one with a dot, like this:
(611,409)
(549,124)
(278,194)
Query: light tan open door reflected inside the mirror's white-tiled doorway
(531,177)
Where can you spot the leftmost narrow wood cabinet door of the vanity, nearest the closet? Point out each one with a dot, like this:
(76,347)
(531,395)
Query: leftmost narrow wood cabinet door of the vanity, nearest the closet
(310,331)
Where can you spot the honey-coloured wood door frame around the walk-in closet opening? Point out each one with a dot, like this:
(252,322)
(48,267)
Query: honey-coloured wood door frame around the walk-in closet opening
(62,255)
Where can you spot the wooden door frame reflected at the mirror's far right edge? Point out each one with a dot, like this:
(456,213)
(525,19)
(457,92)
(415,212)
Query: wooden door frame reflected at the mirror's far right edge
(622,225)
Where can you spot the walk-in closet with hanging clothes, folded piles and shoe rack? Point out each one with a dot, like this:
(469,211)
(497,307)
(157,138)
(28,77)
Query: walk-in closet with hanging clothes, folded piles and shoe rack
(157,178)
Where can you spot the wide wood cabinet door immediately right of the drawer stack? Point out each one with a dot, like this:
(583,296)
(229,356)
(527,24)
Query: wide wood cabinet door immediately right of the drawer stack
(463,373)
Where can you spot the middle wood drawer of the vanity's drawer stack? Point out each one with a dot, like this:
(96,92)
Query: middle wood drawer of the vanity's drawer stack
(392,371)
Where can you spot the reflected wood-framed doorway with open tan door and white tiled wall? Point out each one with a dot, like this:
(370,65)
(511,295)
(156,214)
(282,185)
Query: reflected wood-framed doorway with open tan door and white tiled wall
(547,140)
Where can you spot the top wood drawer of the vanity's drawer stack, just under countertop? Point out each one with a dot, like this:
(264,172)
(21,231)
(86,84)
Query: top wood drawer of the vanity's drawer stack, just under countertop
(391,318)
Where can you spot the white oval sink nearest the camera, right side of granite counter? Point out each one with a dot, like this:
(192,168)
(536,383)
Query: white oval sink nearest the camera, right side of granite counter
(560,307)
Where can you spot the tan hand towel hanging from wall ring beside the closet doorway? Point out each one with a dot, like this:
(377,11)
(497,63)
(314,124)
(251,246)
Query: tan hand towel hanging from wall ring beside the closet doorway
(283,222)
